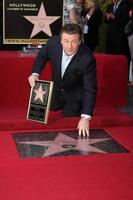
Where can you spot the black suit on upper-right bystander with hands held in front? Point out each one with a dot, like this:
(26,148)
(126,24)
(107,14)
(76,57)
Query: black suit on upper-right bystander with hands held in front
(116,40)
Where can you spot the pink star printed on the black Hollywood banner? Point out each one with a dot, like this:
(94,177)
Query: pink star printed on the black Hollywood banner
(41,22)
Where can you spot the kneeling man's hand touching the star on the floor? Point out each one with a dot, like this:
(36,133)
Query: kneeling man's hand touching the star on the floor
(83,127)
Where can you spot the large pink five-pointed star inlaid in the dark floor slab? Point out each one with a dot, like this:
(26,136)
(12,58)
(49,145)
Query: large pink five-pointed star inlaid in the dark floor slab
(62,143)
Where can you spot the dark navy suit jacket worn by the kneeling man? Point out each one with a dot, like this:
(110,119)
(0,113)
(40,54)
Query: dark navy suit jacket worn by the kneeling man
(76,91)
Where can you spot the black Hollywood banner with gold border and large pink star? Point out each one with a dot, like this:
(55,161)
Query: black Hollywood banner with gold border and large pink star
(31,21)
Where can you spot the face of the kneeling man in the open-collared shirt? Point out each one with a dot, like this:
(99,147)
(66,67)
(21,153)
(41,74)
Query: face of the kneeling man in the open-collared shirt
(70,43)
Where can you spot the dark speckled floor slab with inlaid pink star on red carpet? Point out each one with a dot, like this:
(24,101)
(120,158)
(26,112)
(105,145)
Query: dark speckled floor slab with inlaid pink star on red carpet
(66,143)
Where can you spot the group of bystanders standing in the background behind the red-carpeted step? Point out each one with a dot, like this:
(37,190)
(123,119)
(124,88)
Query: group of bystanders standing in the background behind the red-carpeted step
(88,14)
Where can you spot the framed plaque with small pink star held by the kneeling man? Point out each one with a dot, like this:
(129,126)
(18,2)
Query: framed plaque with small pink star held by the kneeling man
(39,101)
